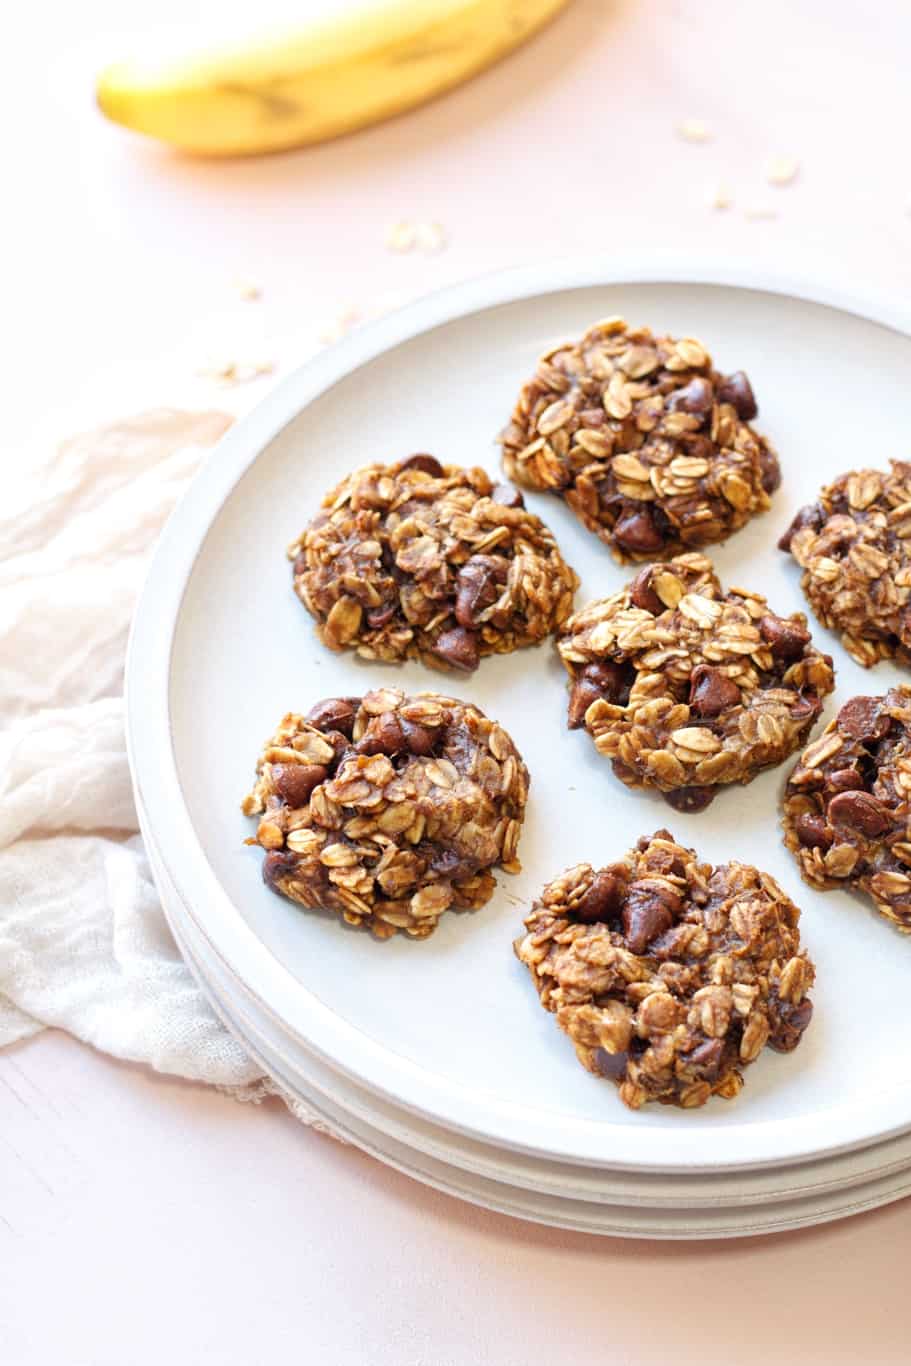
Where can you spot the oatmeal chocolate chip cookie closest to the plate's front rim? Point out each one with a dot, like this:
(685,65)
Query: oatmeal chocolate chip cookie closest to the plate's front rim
(670,976)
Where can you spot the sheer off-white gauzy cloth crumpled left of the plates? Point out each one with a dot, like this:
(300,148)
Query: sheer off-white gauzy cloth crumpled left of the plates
(84,942)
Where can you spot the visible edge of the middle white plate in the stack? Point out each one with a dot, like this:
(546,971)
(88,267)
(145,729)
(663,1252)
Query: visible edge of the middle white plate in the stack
(831,1177)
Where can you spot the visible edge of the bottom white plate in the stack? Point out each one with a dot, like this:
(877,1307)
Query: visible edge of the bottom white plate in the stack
(606,1215)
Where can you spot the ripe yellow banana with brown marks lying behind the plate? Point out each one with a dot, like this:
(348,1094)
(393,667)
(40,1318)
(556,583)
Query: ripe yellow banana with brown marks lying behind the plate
(318,80)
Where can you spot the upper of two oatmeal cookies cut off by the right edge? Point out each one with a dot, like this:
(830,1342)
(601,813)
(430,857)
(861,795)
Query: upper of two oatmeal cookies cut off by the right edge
(854,547)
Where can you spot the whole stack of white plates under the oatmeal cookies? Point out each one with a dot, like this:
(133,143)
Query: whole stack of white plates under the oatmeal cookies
(435,1055)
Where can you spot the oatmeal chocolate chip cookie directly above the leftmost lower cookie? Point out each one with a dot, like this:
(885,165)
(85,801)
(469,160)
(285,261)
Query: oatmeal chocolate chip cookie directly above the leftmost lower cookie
(423,561)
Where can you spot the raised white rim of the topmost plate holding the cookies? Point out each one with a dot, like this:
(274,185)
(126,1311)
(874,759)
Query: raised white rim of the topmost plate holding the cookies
(155,774)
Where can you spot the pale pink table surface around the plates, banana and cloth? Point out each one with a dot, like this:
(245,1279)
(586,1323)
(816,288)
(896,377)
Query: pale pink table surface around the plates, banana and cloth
(143,1221)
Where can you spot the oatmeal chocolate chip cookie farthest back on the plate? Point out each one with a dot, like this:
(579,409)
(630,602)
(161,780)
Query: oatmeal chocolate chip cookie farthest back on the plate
(645,441)
